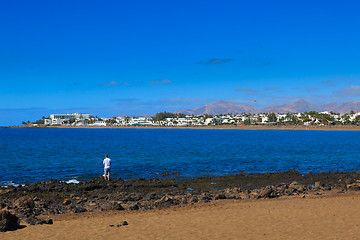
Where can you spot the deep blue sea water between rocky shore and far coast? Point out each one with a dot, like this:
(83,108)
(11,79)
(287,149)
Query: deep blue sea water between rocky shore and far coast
(36,154)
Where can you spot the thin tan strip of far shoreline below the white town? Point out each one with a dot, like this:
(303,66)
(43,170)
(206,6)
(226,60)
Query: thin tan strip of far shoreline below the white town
(250,127)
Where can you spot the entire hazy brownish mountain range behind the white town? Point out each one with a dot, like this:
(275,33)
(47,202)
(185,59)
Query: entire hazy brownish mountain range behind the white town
(222,107)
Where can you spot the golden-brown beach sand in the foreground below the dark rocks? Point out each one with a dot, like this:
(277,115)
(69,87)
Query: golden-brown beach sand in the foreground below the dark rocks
(327,217)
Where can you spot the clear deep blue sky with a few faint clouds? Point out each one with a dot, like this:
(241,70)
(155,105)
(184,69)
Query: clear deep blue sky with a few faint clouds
(142,57)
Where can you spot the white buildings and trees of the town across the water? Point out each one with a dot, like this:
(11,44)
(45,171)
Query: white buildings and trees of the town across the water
(167,119)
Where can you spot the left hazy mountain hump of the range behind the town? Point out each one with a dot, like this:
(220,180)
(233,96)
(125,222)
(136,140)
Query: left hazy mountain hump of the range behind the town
(220,107)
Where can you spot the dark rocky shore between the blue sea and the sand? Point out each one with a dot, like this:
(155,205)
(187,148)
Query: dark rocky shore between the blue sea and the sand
(35,203)
